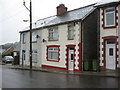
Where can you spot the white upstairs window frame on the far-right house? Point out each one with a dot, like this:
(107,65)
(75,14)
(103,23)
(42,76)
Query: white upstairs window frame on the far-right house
(105,15)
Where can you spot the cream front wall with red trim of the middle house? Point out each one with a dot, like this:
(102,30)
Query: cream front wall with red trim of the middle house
(62,43)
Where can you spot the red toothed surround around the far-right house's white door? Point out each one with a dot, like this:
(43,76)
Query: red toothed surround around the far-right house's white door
(104,50)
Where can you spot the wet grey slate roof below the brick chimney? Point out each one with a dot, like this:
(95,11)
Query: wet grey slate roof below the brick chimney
(73,15)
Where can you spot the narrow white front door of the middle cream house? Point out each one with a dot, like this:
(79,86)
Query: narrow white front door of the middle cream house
(71,58)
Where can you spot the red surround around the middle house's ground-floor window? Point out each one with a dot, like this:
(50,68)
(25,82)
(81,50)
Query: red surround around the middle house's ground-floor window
(47,54)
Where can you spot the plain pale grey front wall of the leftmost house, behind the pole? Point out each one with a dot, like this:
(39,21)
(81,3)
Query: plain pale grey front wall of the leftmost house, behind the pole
(35,46)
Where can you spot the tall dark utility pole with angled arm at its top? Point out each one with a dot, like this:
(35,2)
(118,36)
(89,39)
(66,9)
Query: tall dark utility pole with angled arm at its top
(30,10)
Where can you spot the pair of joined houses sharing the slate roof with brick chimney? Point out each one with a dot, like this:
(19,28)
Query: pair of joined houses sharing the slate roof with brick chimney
(62,41)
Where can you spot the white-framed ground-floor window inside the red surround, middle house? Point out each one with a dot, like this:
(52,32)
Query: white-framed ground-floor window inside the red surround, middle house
(53,50)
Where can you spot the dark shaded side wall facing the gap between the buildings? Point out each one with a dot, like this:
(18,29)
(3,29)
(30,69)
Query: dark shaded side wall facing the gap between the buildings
(90,37)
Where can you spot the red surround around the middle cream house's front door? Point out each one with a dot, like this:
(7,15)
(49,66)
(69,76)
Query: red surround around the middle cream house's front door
(67,56)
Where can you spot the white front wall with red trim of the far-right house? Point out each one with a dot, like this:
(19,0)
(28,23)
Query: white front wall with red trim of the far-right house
(109,33)
